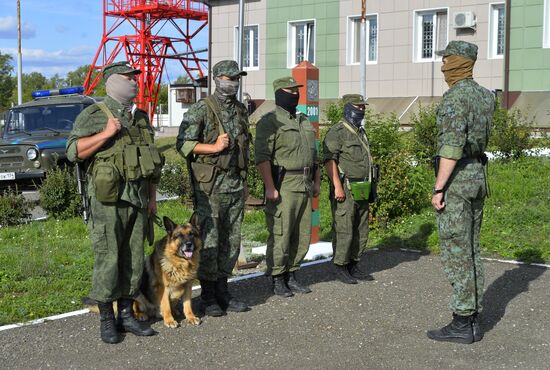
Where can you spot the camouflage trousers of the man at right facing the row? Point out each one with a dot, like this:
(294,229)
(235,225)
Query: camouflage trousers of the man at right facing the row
(459,228)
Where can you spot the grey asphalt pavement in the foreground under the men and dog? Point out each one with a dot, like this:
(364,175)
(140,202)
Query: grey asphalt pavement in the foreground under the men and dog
(372,325)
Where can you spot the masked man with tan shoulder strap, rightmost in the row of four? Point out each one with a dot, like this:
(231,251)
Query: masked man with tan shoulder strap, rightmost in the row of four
(348,162)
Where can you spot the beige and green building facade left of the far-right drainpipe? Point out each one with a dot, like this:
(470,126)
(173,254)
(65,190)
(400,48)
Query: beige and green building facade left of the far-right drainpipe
(402,37)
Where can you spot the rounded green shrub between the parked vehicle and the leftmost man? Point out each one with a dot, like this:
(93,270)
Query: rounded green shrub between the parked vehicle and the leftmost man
(59,195)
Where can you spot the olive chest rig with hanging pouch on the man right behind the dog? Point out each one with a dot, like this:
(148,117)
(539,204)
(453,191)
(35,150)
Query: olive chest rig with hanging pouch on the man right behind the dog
(206,167)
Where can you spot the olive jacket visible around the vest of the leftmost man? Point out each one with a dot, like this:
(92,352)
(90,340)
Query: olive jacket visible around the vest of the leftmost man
(91,121)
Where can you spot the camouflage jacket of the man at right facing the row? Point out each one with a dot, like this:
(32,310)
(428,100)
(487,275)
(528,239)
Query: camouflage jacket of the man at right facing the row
(464,119)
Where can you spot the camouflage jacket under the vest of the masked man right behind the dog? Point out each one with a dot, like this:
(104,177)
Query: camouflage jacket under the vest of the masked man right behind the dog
(200,126)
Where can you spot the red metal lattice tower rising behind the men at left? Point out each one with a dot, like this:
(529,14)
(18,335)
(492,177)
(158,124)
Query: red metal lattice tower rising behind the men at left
(143,45)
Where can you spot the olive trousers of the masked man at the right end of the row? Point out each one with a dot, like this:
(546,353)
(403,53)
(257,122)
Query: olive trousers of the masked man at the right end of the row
(350,228)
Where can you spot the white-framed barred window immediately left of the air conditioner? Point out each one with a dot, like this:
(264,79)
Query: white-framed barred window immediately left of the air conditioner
(430,34)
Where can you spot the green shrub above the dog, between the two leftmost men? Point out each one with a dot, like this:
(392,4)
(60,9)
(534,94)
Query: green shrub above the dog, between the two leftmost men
(175,180)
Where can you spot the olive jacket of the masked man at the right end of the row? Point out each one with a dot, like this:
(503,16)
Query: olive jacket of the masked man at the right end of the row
(348,149)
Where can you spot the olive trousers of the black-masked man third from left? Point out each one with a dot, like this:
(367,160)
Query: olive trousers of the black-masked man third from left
(289,224)
